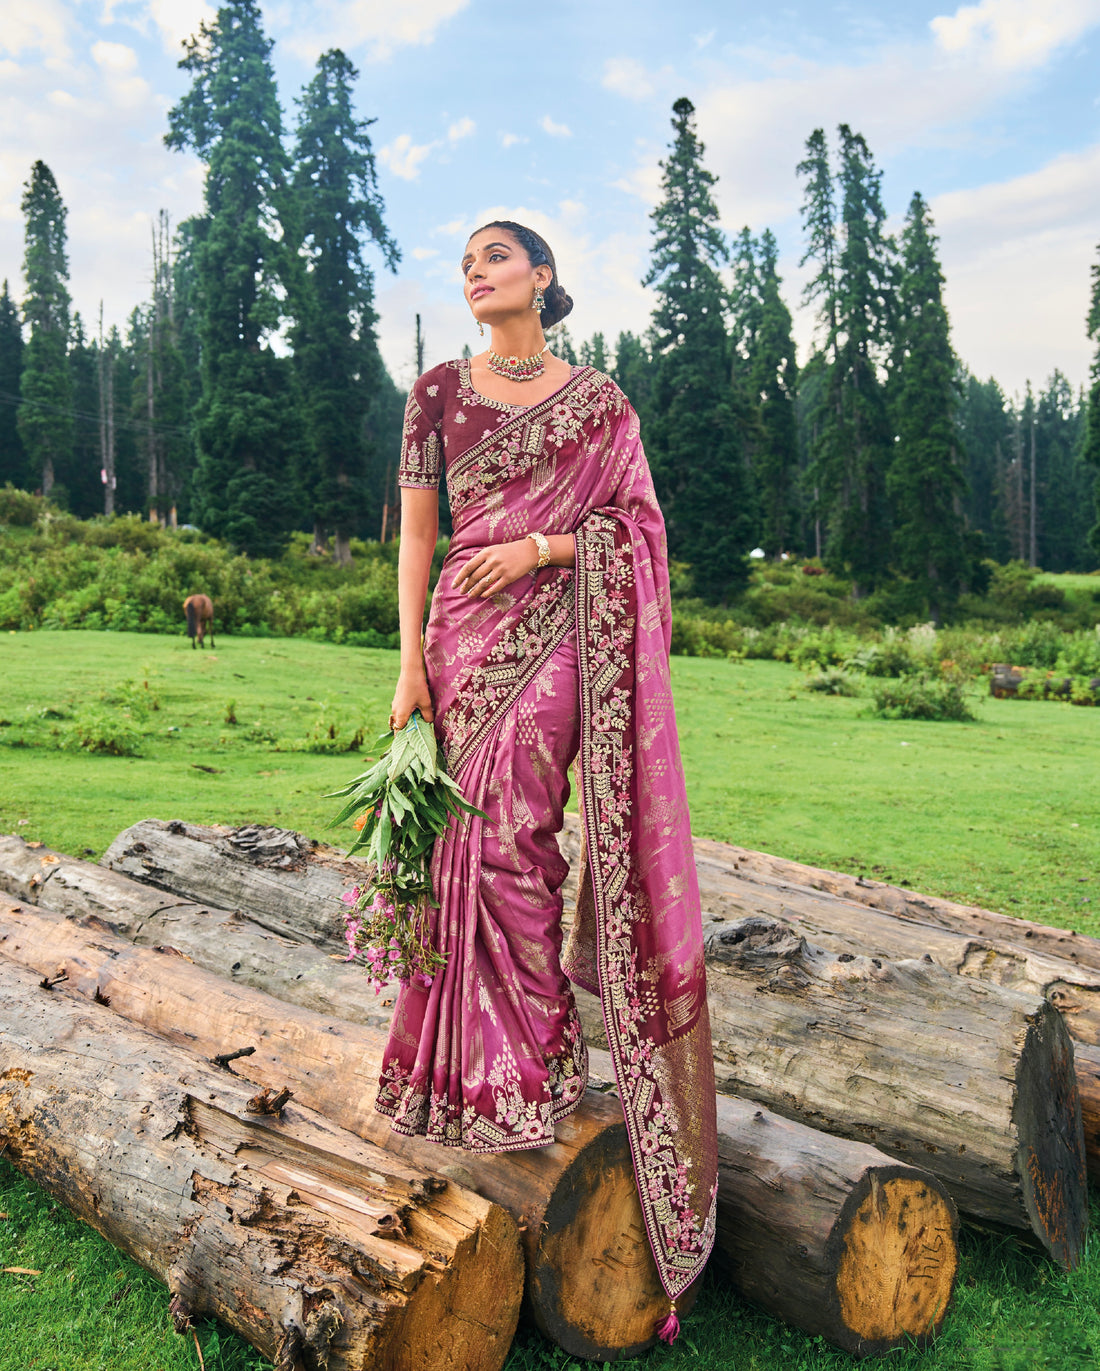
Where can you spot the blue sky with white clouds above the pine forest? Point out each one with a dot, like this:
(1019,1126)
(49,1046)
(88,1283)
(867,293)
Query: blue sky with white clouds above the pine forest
(559,116)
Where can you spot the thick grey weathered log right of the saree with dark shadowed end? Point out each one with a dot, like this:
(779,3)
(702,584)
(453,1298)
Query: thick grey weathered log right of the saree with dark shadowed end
(975,1081)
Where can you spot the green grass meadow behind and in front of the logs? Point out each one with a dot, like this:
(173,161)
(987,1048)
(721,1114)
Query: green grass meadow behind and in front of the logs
(1002,812)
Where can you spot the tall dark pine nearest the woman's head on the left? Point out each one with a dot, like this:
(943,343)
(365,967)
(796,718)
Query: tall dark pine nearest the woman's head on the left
(337,208)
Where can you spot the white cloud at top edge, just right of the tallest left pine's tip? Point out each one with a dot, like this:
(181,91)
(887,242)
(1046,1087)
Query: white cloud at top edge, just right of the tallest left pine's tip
(366,24)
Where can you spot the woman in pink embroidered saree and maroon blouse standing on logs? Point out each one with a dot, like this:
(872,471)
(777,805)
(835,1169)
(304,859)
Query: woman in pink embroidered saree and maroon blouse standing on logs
(548,641)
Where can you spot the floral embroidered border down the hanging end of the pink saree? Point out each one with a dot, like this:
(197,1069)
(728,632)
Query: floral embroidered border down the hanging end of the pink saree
(656,1081)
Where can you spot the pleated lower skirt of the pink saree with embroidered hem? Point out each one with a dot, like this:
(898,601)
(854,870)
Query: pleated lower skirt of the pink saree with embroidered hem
(492,1056)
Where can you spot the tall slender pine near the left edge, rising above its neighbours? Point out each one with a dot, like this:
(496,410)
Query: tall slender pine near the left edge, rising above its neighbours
(46,415)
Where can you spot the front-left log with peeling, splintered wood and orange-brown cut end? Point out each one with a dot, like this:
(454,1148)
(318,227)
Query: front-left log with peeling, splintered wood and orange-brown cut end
(316,1247)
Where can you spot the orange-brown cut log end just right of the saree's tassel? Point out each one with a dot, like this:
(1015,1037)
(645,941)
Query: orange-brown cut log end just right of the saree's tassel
(898,1263)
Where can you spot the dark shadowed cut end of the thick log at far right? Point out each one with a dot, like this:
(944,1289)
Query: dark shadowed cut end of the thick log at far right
(1051,1154)
